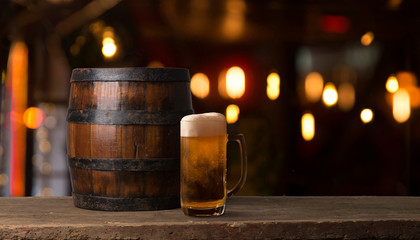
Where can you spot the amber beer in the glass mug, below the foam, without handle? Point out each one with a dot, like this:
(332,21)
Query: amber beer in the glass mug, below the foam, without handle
(203,175)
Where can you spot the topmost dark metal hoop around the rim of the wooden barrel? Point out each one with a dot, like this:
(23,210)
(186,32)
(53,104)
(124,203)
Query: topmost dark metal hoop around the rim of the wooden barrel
(143,74)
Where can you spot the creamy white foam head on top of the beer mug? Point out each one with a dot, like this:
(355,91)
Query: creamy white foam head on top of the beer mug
(205,124)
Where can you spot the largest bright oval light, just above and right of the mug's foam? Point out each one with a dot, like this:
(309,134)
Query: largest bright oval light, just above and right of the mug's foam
(235,82)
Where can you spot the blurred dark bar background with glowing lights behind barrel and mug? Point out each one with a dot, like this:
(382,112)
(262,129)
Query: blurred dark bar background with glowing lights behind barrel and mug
(326,92)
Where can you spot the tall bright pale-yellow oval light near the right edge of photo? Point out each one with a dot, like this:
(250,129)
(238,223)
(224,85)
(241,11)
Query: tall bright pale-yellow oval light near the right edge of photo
(401,106)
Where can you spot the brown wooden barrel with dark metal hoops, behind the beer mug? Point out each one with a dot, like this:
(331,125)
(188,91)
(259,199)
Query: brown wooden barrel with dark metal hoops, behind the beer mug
(123,138)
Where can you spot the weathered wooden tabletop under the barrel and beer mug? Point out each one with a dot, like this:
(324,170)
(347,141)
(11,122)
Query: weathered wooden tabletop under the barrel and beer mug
(245,218)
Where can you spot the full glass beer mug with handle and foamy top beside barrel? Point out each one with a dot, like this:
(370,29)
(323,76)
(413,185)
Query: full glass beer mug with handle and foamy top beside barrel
(203,164)
